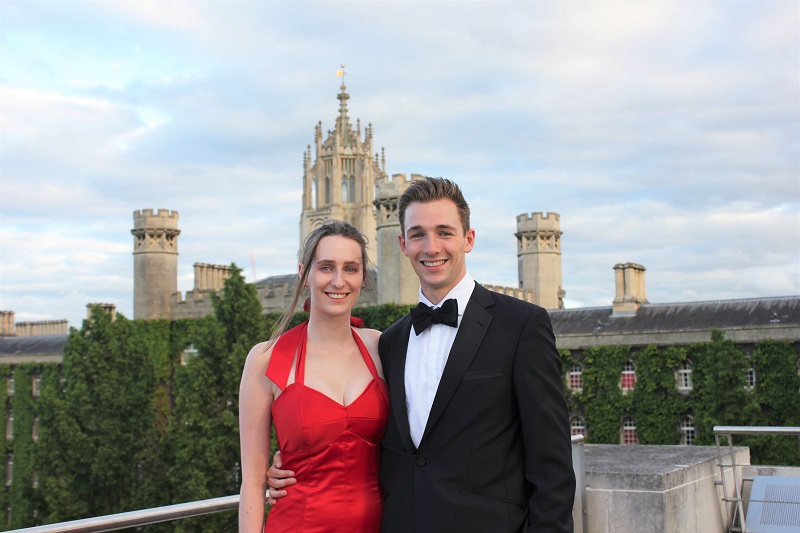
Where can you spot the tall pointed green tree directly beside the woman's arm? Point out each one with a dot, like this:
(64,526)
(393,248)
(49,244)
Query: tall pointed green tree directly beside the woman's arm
(206,433)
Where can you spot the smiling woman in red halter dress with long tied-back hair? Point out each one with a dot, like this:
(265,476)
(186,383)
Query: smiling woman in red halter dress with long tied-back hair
(321,384)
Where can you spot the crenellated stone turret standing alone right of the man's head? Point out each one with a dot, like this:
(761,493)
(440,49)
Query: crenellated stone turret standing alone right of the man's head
(539,258)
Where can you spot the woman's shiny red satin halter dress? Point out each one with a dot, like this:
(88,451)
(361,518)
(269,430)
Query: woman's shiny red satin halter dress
(333,449)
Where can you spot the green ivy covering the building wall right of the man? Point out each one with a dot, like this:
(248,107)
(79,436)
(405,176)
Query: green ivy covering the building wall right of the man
(719,394)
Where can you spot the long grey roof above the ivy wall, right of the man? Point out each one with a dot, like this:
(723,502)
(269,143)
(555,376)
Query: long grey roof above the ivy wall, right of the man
(746,320)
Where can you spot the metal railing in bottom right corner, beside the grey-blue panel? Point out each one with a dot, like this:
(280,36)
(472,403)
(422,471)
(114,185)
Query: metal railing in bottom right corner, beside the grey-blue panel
(735,497)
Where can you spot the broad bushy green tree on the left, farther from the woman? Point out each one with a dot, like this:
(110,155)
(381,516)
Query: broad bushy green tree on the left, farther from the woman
(97,424)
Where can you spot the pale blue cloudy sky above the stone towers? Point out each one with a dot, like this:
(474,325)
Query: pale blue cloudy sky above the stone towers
(665,133)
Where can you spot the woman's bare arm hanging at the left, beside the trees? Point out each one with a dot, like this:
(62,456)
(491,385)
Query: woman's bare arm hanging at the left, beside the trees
(256,394)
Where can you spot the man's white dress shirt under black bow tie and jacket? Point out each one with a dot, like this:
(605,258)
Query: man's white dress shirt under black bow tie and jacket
(426,357)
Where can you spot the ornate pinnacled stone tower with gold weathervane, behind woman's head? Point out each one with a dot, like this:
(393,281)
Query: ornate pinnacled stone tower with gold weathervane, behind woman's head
(339,179)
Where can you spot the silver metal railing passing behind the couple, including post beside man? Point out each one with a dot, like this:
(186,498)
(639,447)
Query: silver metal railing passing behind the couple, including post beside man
(145,517)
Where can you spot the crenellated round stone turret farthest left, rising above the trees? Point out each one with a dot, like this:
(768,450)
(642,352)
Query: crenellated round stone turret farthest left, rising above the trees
(155,263)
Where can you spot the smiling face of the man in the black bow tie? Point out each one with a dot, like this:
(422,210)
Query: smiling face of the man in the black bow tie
(436,244)
